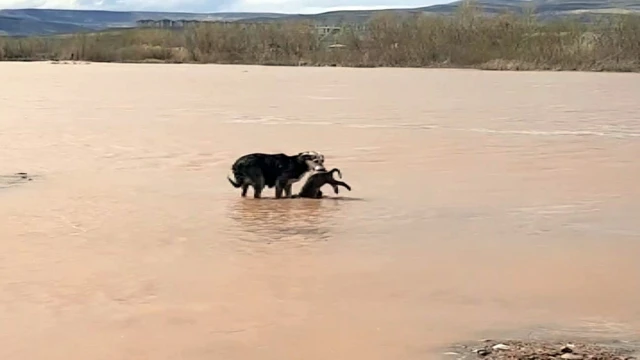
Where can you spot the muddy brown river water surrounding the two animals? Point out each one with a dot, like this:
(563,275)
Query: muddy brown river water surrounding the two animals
(481,202)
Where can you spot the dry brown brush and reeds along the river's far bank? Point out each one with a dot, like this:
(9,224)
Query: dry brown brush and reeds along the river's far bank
(468,39)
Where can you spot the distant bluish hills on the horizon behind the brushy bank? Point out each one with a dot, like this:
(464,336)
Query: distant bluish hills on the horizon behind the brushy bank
(25,22)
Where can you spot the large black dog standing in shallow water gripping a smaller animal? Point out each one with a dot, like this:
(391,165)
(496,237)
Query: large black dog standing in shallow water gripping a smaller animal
(279,170)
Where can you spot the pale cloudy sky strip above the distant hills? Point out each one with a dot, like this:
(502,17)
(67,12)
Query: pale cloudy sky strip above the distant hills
(286,6)
